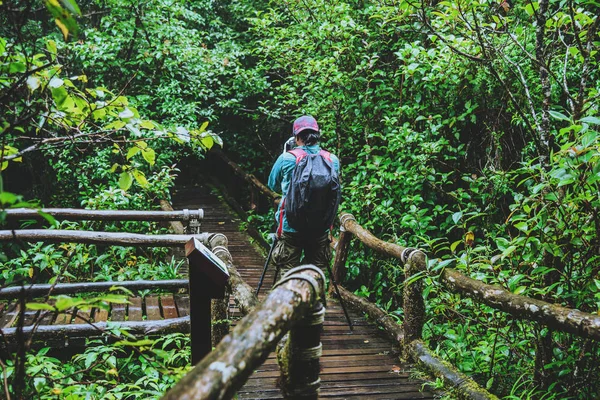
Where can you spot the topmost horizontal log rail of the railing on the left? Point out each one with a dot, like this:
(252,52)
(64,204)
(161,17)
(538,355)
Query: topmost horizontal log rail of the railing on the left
(73,214)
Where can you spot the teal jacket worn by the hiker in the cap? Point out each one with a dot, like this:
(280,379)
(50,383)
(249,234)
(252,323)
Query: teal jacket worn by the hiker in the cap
(281,175)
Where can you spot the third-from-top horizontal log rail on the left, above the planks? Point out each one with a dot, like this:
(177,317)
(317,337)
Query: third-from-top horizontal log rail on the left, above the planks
(32,291)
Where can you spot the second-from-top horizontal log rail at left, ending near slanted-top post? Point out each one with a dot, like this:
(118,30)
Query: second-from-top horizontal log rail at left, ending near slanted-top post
(94,237)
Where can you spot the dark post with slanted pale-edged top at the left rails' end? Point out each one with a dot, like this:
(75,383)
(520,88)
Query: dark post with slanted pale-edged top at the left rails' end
(208,279)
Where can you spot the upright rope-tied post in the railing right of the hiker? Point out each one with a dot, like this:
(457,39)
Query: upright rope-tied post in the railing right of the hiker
(414,306)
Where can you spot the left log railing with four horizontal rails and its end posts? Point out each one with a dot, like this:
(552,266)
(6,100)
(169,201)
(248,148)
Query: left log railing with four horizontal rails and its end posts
(202,274)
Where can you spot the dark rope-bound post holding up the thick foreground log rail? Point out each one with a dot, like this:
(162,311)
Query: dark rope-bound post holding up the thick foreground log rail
(298,353)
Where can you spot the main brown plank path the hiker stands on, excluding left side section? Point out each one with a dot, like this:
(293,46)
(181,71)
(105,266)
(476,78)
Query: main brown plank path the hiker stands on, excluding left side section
(363,364)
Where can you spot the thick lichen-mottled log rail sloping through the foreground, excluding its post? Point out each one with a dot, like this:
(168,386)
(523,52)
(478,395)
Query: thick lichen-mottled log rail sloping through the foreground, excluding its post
(223,371)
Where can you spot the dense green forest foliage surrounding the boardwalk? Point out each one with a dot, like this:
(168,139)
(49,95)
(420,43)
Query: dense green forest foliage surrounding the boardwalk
(468,128)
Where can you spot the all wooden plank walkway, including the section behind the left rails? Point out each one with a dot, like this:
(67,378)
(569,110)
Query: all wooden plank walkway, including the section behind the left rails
(363,364)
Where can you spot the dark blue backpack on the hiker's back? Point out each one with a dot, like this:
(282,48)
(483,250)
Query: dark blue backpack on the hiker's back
(314,193)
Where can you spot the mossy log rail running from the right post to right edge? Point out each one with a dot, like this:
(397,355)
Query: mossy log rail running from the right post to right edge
(552,315)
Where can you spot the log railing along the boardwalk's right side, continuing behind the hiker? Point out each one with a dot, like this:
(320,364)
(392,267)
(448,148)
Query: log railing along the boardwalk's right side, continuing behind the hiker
(409,334)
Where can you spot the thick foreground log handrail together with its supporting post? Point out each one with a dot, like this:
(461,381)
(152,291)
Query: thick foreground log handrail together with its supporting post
(293,304)
